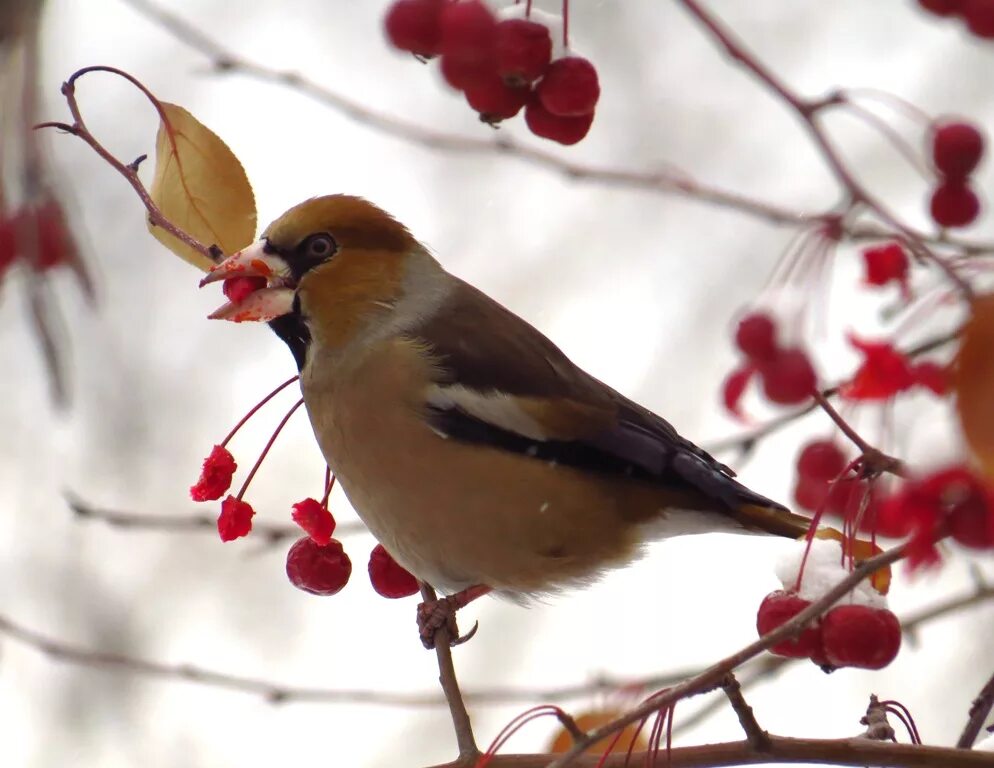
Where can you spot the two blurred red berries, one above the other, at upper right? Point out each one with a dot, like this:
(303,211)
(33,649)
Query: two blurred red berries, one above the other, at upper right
(956,149)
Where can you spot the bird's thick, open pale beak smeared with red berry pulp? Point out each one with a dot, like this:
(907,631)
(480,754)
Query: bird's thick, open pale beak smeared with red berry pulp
(261,304)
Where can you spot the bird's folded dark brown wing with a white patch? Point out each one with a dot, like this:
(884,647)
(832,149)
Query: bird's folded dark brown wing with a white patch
(504,384)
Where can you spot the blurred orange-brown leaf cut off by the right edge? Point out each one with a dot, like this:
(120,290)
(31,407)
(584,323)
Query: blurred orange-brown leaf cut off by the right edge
(973,380)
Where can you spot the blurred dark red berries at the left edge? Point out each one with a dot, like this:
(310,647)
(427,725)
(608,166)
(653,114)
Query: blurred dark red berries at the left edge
(38,235)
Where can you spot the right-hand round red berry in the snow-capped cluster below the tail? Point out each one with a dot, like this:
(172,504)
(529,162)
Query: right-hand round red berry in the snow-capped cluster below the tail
(860,636)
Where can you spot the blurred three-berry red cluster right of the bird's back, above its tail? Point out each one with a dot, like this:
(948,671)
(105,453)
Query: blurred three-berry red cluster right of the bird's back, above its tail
(788,378)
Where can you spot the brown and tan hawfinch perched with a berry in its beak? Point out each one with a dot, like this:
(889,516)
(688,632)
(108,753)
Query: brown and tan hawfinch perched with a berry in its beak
(473,449)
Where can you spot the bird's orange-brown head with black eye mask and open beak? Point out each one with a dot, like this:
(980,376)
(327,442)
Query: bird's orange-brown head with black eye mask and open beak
(336,262)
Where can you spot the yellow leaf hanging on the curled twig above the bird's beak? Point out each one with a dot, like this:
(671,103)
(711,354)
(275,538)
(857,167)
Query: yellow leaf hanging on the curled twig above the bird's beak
(199,186)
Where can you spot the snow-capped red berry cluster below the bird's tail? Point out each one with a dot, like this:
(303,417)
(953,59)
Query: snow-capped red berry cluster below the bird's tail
(858,633)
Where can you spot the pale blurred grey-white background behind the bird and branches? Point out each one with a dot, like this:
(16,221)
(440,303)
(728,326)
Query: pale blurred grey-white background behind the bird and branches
(639,288)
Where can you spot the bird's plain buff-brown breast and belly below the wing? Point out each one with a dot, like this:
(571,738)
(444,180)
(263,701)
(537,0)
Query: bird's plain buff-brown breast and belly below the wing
(453,513)
